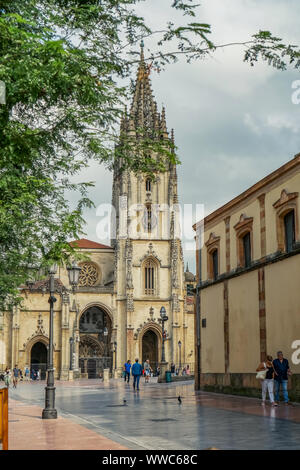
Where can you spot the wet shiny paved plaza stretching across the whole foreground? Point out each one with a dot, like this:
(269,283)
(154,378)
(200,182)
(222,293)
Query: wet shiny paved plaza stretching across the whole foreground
(93,415)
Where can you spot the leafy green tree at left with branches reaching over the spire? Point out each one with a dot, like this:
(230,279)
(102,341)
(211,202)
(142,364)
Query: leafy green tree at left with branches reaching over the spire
(62,63)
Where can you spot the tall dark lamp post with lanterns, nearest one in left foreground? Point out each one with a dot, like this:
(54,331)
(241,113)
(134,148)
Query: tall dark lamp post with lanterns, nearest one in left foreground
(49,412)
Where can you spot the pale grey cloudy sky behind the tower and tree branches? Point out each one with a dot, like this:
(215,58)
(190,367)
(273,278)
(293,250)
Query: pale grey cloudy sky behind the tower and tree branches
(233,123)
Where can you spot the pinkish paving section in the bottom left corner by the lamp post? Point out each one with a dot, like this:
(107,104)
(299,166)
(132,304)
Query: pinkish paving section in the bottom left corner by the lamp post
(28,431)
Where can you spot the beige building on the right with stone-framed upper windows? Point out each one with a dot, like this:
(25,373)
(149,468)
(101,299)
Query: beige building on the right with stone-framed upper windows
(248,272)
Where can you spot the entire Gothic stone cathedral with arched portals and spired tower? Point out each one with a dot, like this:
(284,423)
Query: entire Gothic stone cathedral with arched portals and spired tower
(114,314)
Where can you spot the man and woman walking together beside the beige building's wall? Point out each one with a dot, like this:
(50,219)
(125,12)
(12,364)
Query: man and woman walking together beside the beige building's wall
(274,372)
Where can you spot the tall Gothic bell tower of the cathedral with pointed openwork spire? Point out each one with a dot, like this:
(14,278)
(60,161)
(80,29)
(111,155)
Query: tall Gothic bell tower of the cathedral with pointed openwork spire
(149,270)
